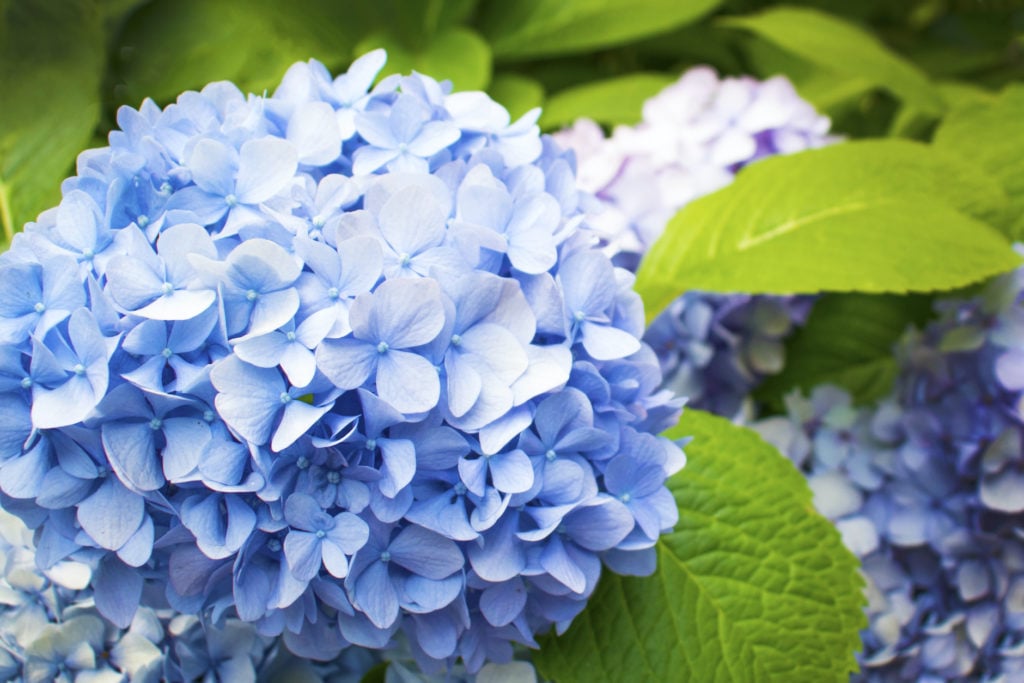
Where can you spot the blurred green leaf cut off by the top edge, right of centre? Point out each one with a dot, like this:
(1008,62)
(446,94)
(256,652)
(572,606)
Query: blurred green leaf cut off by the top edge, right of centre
(530,29)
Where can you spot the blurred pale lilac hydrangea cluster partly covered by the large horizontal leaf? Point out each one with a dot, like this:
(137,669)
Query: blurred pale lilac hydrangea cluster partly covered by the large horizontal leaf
(696,136)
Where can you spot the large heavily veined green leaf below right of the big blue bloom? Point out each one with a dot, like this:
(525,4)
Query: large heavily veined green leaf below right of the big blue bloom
(752,586)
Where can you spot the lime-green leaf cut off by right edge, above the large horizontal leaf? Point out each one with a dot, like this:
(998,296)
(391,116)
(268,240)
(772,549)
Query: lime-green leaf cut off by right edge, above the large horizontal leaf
(992,135)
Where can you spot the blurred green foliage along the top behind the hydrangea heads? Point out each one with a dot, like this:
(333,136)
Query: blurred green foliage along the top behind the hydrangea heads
(876,67)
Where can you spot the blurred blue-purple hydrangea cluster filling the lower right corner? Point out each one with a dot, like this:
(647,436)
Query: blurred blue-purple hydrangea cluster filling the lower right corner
(928,489)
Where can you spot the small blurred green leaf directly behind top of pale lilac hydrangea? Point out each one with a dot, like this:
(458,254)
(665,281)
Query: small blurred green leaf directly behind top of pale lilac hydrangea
(611,102)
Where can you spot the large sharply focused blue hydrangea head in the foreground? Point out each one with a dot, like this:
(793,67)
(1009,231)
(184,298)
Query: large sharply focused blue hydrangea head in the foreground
(340,365)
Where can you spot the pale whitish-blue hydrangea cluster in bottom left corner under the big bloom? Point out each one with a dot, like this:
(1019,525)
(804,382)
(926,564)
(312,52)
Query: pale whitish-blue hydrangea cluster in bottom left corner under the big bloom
(52,631)
